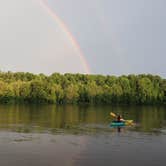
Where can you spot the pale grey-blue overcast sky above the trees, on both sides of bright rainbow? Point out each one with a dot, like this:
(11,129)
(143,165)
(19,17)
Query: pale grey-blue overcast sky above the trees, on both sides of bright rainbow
(116,36)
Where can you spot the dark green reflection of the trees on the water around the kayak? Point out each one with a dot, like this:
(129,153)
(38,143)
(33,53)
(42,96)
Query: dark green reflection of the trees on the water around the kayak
(77,119)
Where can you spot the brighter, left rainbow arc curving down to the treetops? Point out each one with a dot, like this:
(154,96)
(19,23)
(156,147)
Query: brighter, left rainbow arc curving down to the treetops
(44,4)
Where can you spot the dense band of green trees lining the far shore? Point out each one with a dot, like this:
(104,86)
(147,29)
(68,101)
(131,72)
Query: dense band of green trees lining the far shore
(79,88)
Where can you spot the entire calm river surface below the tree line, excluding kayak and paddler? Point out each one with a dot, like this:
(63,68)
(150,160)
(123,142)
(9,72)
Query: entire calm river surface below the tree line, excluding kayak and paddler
(32,135)
